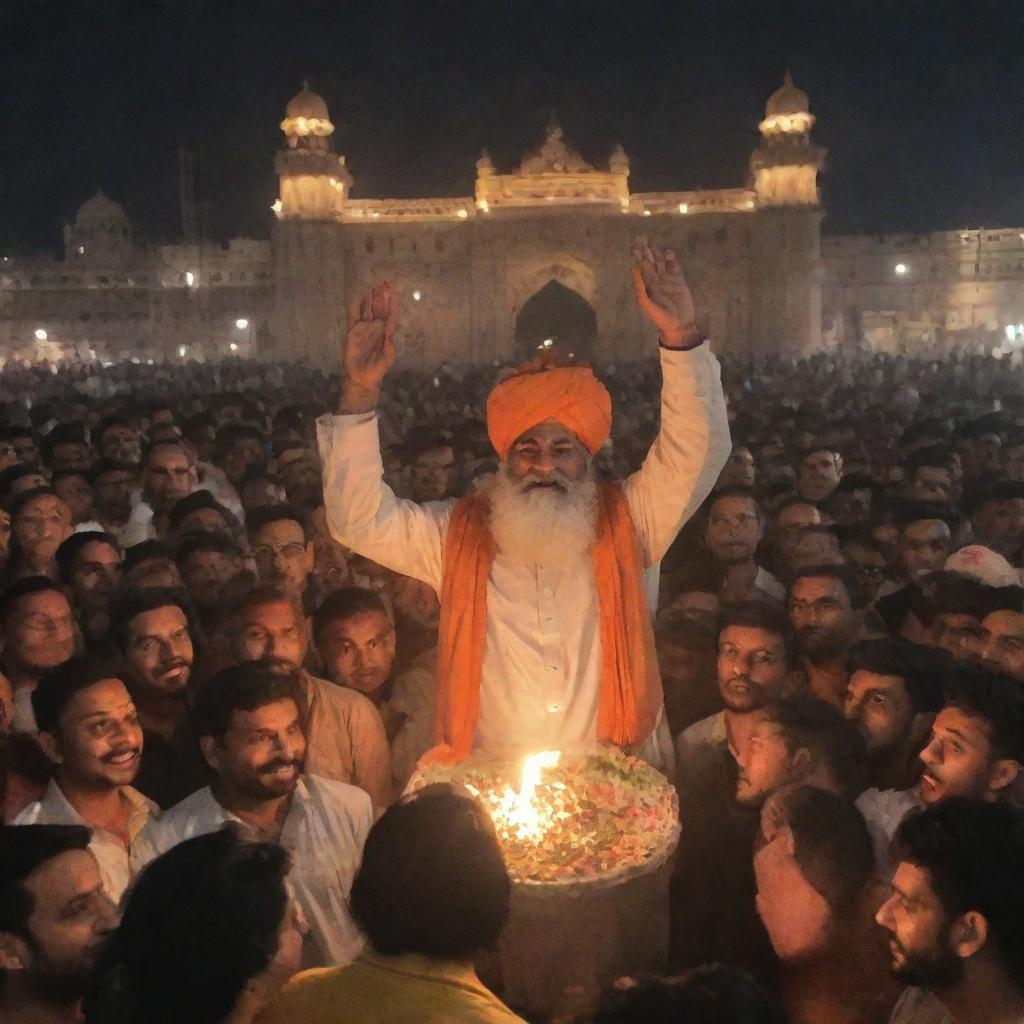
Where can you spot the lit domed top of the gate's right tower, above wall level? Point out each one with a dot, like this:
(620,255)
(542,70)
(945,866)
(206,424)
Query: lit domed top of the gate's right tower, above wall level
(786,165)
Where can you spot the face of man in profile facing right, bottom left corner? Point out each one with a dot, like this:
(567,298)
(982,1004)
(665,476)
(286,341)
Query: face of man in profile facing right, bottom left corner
(70,922)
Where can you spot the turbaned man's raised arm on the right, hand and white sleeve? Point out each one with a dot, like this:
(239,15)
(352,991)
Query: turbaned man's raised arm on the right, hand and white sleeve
(694,442)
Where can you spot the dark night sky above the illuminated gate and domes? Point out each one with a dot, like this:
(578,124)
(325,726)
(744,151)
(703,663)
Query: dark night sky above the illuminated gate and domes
(921,105)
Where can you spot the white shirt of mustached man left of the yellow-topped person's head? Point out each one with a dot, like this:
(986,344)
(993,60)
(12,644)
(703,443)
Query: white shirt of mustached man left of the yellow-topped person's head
(325,830)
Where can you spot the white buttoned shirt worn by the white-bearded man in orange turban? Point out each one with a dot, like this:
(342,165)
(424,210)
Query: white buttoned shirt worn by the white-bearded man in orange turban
(541,680)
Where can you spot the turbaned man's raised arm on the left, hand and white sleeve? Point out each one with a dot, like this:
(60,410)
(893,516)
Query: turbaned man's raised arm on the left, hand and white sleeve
(363,513)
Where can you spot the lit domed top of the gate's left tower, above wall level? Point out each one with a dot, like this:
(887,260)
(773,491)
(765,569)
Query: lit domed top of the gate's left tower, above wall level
(314,179)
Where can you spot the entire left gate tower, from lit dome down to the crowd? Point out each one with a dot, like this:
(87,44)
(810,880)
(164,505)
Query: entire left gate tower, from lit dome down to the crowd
(309,238)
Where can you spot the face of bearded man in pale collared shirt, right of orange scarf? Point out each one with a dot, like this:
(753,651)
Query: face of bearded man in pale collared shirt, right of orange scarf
(752,668)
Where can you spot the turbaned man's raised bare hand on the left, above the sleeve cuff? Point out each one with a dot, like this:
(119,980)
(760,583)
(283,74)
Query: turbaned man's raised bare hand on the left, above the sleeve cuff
(368,353)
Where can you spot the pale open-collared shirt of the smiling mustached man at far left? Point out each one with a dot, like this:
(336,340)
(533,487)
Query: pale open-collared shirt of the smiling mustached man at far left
(117,865)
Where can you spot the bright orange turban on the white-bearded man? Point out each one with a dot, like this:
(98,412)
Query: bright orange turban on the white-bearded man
(571,396)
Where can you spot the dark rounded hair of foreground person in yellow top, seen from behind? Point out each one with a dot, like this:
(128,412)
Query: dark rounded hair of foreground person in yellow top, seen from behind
(434,881)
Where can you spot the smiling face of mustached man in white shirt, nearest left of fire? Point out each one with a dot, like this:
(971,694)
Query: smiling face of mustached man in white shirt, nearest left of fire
(263,754)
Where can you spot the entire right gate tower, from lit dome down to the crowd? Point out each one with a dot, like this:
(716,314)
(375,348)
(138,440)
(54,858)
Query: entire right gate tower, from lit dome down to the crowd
(786,241)
